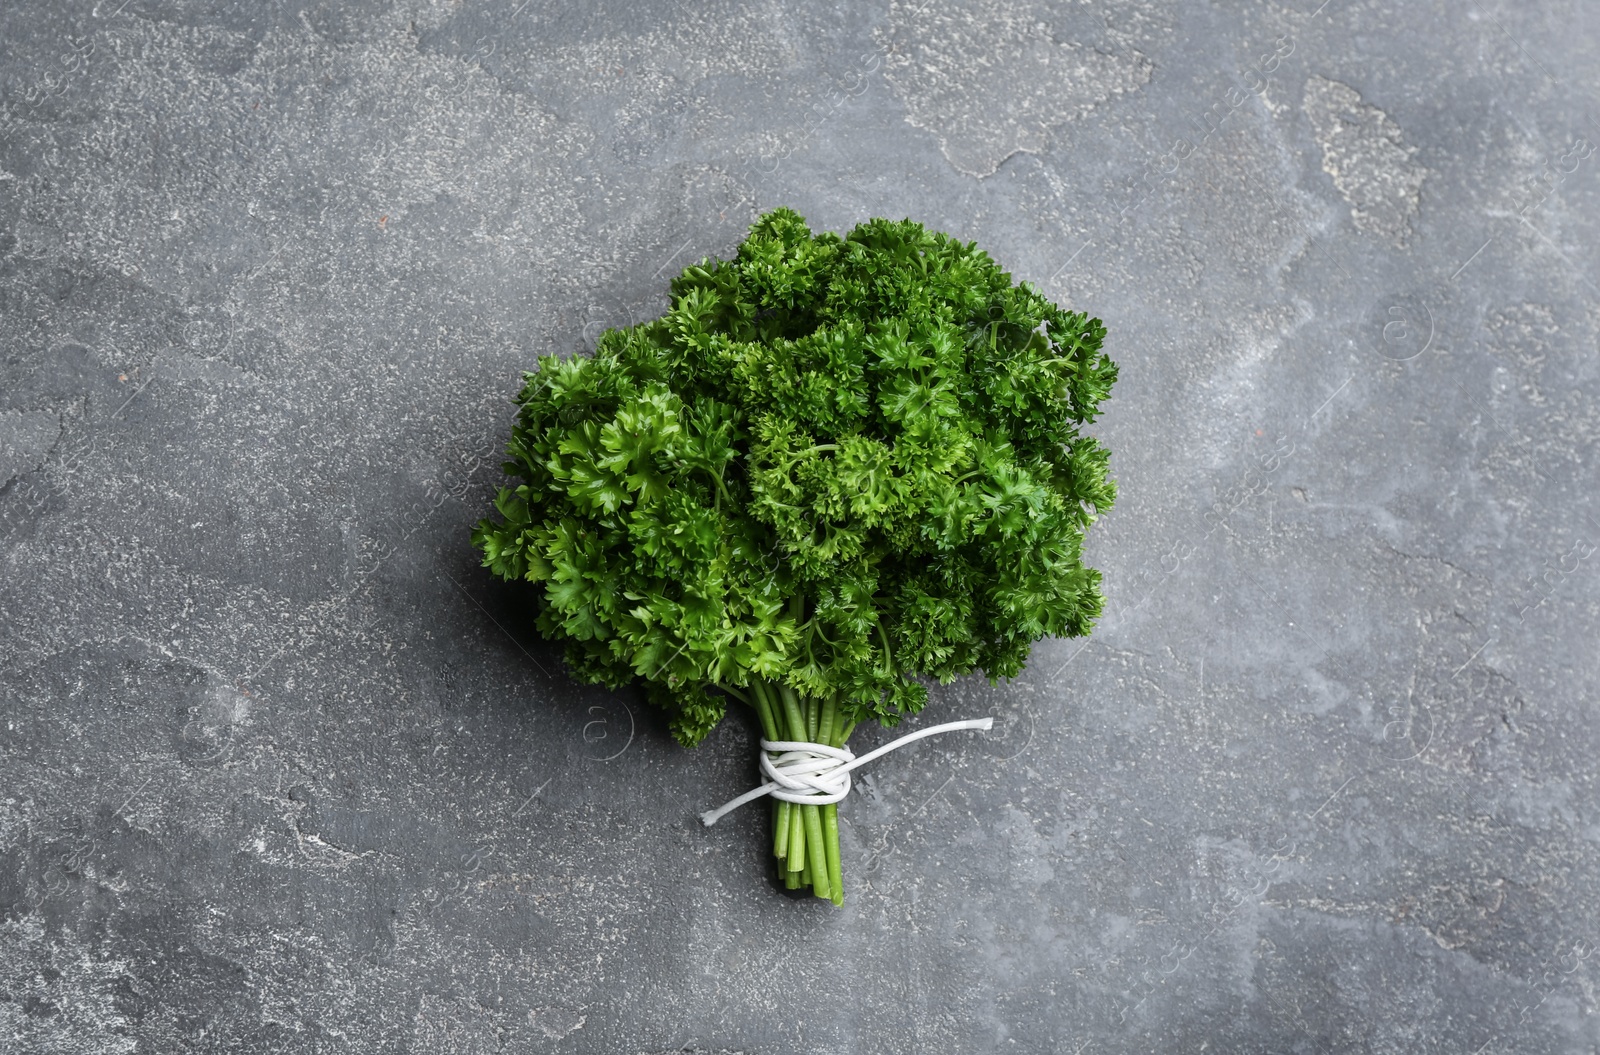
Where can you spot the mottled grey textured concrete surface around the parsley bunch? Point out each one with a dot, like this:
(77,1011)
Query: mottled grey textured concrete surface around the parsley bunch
(282,771)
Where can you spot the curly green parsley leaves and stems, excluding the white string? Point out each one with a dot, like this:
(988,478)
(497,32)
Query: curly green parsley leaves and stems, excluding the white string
(836,468)
